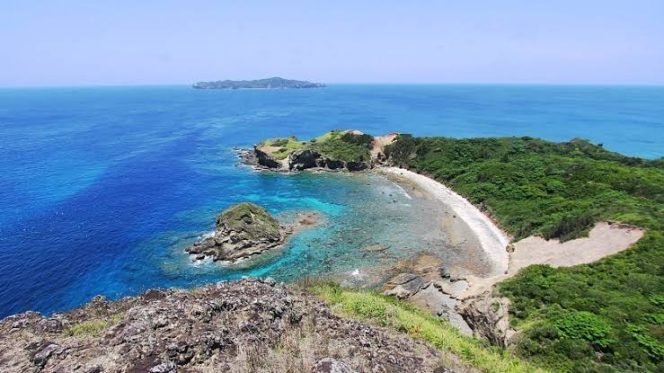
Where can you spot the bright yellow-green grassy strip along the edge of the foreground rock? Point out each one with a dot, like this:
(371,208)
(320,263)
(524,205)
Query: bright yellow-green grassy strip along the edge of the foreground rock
(389,312)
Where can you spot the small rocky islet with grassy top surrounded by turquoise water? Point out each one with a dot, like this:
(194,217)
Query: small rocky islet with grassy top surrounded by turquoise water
(245,230)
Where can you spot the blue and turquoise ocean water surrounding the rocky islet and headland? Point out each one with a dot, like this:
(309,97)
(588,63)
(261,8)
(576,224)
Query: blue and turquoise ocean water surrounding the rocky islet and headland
(102,188)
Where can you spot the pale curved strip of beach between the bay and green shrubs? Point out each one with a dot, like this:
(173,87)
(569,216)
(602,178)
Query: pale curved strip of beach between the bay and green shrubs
(492,240)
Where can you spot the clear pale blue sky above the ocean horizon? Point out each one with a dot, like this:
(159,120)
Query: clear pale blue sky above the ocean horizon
(82,42)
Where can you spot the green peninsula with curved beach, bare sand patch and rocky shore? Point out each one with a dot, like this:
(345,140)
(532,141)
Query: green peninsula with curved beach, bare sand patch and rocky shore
(577,219)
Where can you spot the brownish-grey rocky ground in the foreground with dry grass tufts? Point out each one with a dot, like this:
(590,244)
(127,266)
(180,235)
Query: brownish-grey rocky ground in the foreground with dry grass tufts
(244,326)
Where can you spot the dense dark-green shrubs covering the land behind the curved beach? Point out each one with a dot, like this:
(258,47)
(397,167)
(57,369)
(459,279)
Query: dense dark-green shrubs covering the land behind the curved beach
(605,316)
